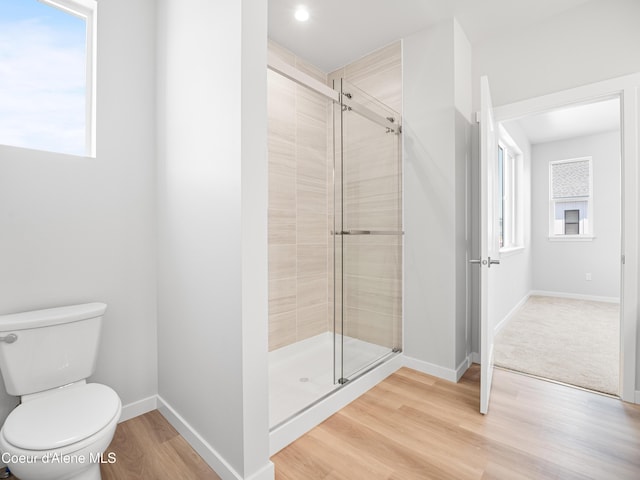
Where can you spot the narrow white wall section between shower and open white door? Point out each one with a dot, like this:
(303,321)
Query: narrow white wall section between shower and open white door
(436,136)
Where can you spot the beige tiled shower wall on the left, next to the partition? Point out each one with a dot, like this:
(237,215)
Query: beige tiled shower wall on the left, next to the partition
(298,210)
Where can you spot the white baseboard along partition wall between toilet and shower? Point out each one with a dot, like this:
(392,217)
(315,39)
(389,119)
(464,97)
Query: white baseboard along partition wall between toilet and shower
(205,450)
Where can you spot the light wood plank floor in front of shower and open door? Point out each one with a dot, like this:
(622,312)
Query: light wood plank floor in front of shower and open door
(414,426)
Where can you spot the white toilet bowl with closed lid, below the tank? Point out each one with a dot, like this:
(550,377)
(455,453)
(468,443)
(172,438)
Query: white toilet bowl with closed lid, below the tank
(61,435)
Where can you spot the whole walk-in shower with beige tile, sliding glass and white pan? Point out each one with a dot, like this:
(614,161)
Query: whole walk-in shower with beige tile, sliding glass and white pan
(335,237)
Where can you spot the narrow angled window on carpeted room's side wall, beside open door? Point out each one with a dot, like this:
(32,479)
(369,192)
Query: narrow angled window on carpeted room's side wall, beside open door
(510,203)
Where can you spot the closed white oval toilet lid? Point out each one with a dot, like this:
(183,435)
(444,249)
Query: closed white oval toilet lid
(61,418)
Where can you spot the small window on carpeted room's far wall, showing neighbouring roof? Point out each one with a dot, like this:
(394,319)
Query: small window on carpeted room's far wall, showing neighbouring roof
(570,199)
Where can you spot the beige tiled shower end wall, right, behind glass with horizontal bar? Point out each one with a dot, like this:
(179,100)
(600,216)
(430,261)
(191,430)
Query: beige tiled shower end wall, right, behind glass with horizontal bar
(372,281)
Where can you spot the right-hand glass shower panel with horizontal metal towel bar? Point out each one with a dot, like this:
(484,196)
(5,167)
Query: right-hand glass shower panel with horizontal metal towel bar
(368,233)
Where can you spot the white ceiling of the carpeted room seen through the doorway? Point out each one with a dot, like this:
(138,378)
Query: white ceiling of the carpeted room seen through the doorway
(574,121)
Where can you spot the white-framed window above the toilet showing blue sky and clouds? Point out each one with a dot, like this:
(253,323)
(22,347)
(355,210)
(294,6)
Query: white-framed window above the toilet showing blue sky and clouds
(47,88)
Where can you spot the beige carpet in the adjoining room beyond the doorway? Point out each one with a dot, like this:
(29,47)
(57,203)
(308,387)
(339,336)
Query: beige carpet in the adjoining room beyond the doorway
(570,341)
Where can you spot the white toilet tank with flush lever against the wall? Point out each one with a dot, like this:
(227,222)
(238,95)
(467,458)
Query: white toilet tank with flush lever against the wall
(45,349)
